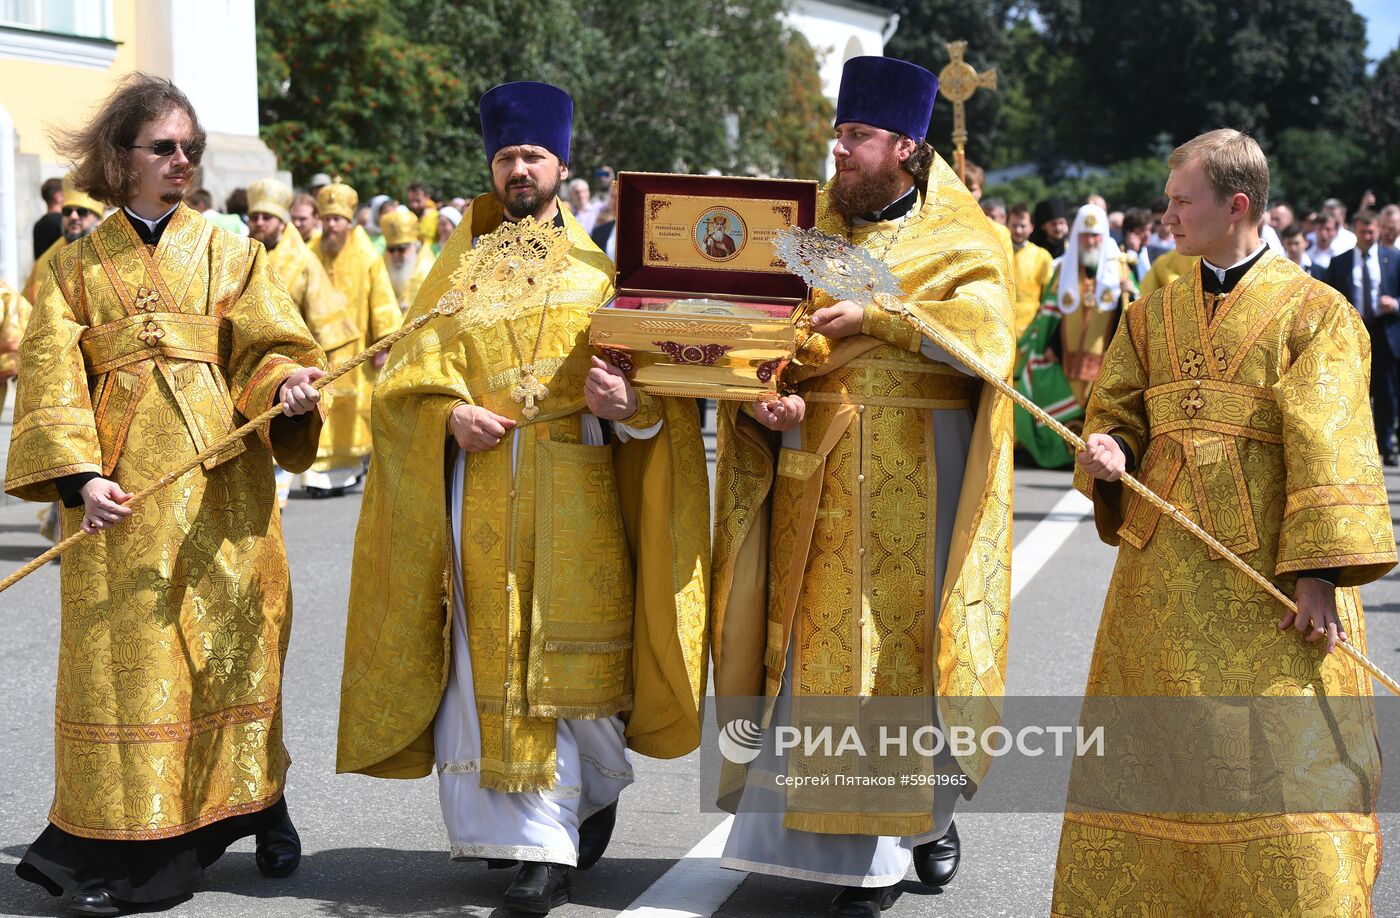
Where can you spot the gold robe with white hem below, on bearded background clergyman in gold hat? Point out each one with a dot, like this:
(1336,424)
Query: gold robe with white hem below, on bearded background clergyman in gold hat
(358,272)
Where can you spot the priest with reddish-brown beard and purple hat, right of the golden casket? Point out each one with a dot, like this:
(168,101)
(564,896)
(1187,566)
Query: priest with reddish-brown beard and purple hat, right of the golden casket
(866,551)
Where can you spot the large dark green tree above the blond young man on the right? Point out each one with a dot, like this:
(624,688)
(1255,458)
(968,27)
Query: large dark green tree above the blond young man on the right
(1263,66)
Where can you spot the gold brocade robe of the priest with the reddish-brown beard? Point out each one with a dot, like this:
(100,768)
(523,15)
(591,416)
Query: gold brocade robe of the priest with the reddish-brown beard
(831,551)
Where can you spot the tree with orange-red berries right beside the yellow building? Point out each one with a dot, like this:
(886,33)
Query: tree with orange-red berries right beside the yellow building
(344,89)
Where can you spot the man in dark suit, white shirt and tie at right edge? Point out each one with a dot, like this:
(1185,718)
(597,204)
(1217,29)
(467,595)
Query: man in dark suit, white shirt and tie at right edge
(1368,276)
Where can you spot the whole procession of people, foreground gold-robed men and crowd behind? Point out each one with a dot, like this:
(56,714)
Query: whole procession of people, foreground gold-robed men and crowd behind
(537,593)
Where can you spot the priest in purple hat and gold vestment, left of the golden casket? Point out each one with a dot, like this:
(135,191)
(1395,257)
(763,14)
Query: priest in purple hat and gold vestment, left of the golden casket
(544,608)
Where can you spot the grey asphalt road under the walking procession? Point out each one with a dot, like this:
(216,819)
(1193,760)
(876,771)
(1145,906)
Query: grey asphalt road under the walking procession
(379,849)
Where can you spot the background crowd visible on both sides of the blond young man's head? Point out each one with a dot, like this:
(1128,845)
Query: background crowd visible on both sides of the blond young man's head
(1109,258)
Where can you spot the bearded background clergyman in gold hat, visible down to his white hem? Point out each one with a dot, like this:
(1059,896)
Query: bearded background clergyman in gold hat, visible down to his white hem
(358,271)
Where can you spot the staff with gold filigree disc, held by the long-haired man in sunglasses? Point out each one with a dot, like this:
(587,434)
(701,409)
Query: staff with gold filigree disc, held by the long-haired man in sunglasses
(517,264)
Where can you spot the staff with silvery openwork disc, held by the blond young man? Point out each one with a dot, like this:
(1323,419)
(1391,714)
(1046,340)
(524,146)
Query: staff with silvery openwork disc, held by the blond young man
(848,272)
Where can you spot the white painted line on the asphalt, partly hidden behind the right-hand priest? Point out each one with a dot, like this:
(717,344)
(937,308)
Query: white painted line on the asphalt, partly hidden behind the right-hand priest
(696,887)
